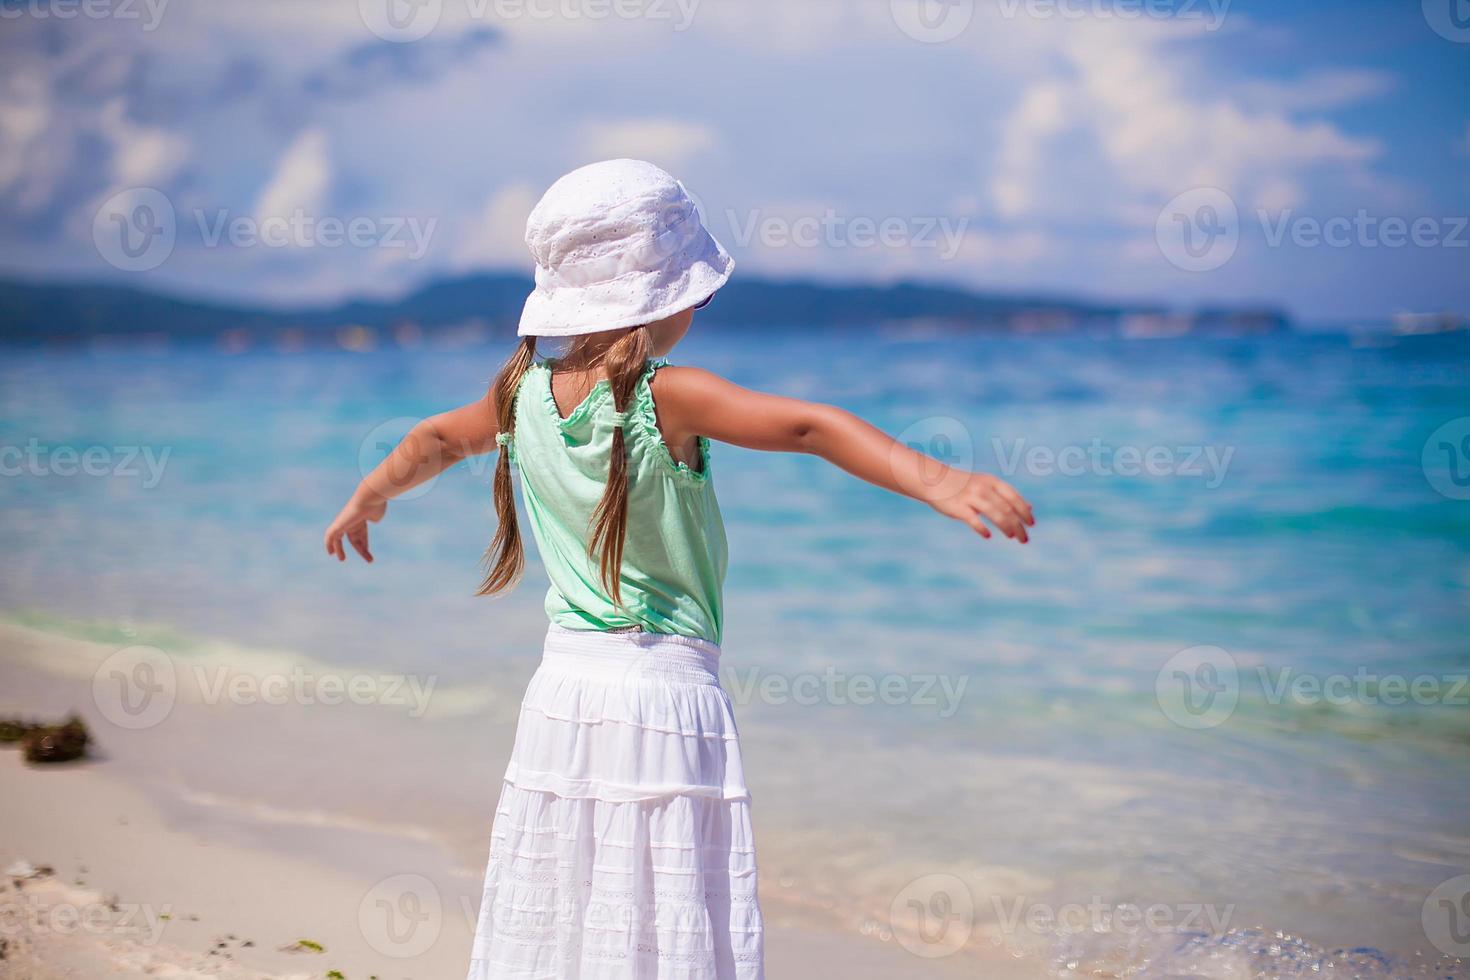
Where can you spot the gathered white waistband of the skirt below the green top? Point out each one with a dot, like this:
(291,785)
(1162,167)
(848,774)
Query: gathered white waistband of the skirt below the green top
(627,656)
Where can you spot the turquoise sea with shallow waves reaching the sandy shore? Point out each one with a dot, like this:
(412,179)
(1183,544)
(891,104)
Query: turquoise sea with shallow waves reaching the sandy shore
(1230,674)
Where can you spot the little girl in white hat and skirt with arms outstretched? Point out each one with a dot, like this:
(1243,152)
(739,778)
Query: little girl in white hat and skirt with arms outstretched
(623,846)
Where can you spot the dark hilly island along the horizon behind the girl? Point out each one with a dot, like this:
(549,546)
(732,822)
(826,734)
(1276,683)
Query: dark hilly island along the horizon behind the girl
(487,306)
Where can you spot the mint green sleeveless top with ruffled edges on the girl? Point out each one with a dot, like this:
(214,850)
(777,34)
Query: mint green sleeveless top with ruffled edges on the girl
(675,553)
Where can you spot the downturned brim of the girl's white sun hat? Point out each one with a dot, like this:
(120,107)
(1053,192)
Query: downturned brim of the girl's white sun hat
(630,300)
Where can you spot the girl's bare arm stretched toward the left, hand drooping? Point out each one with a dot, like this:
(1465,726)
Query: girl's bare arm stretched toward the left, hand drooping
(430,449)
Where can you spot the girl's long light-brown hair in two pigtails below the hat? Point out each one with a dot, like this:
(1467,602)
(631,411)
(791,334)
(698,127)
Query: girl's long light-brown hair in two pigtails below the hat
(625,362)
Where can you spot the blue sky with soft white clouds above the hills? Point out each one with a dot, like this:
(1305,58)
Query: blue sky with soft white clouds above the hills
(1024,146)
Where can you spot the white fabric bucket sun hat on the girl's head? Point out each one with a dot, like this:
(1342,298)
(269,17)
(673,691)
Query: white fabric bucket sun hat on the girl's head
(618,245)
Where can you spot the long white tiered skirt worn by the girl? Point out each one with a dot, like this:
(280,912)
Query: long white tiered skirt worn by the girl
(623,846)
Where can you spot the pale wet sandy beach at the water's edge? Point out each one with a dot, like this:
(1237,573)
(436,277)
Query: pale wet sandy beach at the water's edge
(149,868)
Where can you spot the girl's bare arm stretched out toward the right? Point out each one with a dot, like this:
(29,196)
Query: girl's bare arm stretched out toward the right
(693,403)
